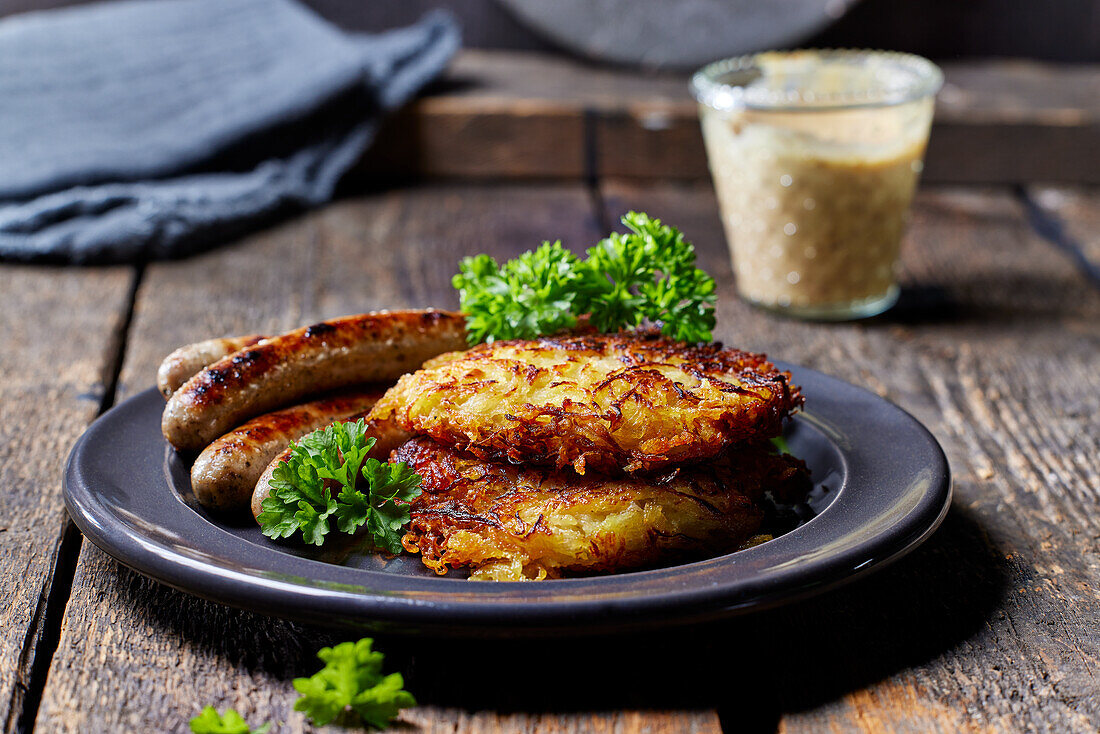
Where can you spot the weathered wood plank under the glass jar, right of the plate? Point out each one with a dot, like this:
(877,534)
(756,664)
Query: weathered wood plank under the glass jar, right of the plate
(994,625)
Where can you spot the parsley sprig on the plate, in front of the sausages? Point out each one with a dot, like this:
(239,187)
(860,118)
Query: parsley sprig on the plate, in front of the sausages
(368,492)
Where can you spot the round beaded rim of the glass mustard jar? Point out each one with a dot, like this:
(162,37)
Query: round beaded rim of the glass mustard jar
(728,84)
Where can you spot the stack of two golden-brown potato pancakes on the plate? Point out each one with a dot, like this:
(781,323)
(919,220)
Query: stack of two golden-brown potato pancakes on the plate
(590,454)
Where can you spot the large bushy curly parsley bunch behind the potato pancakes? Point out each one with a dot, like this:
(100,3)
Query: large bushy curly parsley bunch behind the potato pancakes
(646,275)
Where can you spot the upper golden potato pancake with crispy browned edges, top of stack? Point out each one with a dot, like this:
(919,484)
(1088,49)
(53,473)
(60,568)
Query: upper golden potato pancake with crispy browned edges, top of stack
(610,403)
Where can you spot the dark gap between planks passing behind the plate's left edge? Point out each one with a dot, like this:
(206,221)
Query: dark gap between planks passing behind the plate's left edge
(46,631)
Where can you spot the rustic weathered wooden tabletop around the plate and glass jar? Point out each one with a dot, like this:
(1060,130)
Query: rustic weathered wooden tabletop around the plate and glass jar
(992,626)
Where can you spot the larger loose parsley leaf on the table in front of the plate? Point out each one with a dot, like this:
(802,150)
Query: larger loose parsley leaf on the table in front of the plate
(351,688)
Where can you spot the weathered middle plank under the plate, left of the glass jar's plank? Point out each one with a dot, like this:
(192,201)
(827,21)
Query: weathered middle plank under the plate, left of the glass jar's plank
(138,656)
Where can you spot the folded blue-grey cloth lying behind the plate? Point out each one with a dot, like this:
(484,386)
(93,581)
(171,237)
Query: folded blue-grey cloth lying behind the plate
(136,130)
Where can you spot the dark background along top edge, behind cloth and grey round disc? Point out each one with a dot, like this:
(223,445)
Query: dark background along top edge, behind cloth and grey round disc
(1053,30)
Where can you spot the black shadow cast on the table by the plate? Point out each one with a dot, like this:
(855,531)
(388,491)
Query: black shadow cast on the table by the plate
(753,669)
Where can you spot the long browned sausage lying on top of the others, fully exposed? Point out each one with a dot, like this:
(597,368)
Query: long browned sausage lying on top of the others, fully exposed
(354,350)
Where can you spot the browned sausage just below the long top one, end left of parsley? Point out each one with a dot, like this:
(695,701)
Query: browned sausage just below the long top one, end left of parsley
(225,475)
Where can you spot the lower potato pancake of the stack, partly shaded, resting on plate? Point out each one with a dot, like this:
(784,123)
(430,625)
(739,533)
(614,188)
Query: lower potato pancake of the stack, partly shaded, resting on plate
(509,523)
